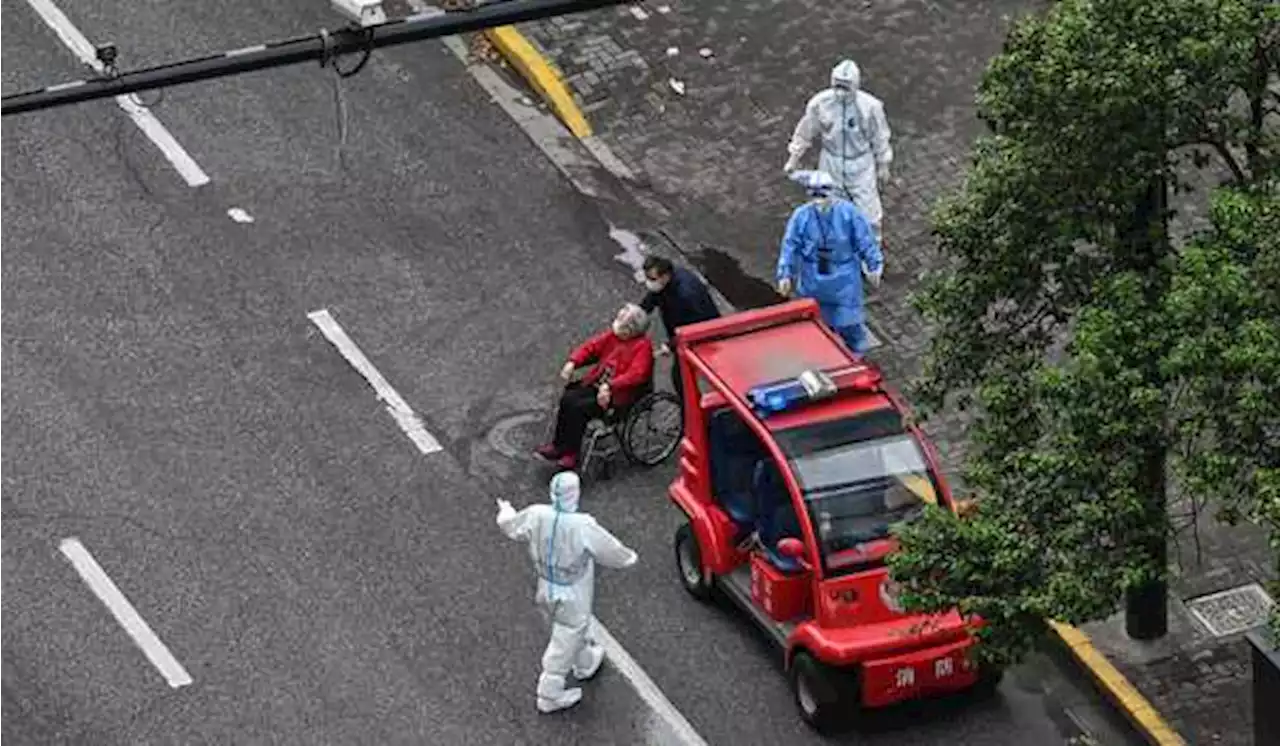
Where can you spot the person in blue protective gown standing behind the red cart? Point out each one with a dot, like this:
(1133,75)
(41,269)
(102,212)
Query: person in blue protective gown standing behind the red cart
(828,248)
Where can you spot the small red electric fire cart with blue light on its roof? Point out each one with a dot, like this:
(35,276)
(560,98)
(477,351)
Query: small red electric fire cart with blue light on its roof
(796,463)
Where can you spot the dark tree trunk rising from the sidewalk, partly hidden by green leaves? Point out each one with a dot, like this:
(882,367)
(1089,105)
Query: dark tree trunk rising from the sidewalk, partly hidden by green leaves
(1148,605)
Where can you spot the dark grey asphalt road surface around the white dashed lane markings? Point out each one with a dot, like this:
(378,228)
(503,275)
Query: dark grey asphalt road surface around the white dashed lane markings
(166,400)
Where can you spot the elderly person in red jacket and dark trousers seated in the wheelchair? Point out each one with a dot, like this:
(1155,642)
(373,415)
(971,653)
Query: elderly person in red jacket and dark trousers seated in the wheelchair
(624,365)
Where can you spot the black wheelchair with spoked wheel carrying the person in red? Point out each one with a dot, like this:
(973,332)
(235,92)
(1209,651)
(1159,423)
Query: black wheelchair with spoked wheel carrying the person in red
(644,433)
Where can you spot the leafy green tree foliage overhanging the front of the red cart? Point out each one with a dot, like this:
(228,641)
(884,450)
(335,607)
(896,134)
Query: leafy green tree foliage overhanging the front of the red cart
(1095,355)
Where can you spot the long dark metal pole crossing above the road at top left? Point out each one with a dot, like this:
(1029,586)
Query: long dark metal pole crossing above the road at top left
(323,48)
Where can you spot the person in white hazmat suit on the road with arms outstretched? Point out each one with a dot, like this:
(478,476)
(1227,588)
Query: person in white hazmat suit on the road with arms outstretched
(565,546)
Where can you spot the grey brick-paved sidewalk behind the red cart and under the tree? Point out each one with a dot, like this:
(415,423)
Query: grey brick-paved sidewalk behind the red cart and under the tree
(712,154)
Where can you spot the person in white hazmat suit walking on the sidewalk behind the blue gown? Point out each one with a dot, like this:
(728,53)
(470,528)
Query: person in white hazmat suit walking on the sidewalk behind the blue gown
(856,141)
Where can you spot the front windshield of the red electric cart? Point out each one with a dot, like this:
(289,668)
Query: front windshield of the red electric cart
(860,477)
